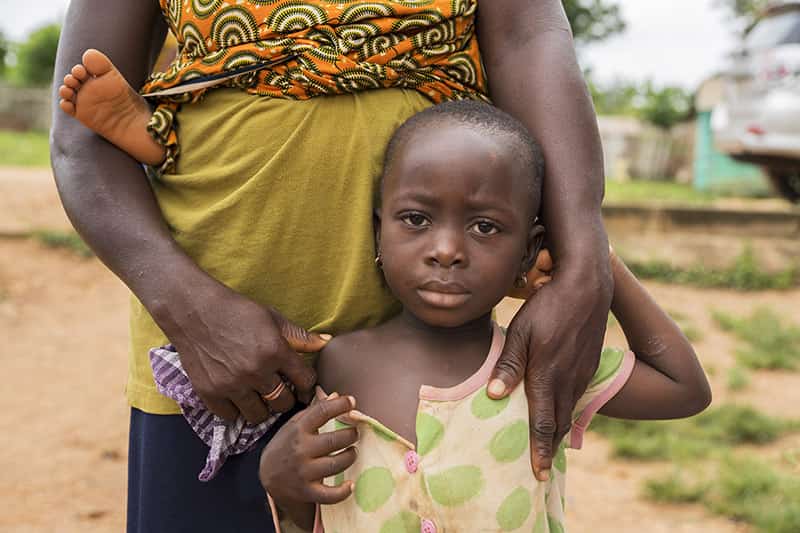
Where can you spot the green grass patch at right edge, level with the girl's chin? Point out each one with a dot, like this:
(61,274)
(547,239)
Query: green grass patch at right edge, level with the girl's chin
(768,342)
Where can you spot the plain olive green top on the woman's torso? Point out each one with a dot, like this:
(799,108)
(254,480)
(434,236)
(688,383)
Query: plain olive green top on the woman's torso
(274,198)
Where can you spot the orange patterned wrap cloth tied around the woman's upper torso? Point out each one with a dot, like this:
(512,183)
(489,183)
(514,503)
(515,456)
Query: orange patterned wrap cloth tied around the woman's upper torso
(298,49)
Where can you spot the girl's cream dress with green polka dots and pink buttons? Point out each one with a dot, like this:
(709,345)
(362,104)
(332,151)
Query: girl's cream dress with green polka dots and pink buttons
(470,470)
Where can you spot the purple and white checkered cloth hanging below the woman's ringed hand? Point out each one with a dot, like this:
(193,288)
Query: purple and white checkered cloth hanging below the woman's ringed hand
(223,437)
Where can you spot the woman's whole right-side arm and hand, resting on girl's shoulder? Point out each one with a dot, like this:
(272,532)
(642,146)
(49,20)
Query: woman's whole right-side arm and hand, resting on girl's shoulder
(533,74)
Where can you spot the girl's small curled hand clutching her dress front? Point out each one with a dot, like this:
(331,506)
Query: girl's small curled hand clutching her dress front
(298,457)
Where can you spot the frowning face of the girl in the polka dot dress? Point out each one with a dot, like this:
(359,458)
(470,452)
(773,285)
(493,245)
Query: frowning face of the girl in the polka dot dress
(455,225)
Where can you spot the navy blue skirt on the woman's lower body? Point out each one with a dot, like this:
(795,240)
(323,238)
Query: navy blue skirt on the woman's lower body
(164,494)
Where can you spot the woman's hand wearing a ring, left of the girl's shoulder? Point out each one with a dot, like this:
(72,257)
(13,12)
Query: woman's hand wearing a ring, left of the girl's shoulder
(235,351)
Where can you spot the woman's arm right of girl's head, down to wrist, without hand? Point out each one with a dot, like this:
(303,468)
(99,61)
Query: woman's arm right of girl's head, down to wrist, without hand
(533,74)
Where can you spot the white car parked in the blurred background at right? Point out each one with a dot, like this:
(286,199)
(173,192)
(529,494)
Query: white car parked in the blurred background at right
(759,118)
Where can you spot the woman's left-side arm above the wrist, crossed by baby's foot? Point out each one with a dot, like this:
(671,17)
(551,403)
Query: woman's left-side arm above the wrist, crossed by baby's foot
(104,191)
